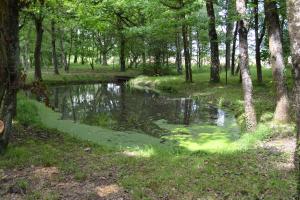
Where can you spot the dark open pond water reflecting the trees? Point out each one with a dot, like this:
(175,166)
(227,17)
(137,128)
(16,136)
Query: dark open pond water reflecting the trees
(115,106)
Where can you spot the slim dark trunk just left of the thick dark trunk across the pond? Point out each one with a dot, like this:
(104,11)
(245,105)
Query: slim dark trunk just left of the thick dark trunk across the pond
(187,56)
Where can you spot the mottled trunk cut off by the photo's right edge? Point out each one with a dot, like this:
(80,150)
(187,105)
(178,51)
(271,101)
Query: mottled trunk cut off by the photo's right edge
(294,27)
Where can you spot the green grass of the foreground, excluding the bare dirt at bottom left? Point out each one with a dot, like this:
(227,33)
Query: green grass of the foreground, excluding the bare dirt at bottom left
(247,174)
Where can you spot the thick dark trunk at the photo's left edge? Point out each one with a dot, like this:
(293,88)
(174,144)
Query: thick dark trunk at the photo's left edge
(9,60)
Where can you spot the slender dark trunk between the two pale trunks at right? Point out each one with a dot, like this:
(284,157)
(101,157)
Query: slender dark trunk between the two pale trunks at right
(257,44)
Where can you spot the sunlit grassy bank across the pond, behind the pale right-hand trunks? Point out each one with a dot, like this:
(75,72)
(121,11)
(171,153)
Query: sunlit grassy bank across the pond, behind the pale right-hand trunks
(229,95)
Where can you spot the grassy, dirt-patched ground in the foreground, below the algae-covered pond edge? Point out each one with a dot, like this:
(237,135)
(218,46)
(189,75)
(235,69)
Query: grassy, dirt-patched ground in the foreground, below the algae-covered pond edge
(44,164)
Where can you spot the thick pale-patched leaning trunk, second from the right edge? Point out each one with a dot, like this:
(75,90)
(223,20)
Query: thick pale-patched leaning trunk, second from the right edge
(277,61)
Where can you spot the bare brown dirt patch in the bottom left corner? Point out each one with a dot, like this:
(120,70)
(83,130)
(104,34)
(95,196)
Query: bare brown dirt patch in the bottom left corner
(49,183)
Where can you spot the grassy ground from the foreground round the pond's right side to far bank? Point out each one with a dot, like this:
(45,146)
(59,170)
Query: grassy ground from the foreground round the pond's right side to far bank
(46,164)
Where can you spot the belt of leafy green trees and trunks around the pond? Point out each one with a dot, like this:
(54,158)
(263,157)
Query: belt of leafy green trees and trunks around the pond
(158,33)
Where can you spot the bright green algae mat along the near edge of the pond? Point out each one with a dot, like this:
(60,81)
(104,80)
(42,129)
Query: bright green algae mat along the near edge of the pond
(199,139)
